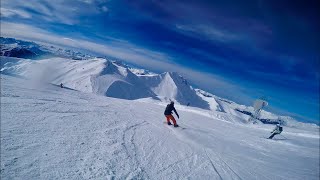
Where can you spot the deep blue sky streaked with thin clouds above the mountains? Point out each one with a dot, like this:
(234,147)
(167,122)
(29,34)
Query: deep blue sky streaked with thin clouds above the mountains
(241,50)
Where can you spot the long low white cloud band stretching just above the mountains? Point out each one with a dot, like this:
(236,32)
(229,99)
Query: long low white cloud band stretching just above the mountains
(117,49)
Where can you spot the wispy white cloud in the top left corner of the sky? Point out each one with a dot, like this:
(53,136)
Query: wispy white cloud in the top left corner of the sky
(58,11)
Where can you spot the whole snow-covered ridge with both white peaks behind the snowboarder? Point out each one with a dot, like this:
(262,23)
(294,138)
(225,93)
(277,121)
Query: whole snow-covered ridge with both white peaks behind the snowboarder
(108,78)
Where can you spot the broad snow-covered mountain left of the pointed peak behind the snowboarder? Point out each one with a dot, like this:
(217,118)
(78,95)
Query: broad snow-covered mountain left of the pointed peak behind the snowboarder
(96,75)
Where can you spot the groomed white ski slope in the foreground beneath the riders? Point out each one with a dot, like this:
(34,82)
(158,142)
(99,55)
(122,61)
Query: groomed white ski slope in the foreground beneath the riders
(53,133)
